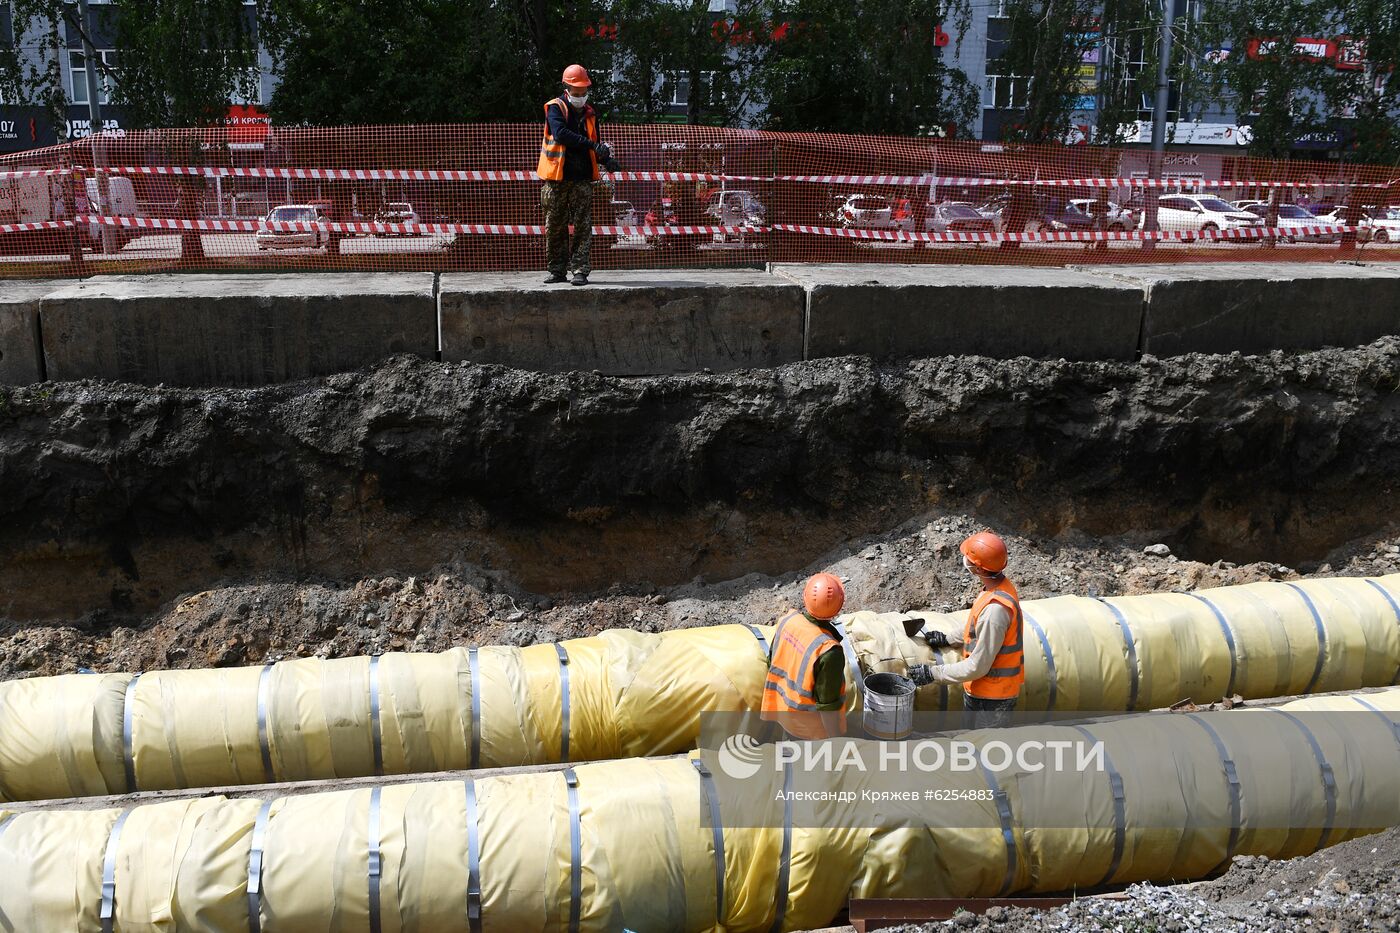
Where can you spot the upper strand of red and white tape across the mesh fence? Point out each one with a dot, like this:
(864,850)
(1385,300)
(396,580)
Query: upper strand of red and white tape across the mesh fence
(521,176)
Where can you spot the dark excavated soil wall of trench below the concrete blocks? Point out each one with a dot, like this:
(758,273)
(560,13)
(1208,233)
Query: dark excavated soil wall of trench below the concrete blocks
(117,498)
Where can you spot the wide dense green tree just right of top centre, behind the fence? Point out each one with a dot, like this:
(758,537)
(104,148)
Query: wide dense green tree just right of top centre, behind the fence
(863,68)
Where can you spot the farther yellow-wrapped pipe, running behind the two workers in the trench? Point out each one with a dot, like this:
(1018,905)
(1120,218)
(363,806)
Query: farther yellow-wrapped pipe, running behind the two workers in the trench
(631,694)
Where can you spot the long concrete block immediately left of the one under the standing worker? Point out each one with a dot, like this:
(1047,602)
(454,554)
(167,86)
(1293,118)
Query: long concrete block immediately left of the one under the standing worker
(234,330)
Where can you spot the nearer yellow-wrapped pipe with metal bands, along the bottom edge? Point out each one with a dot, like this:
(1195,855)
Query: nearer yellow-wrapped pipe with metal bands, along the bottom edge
(626,844)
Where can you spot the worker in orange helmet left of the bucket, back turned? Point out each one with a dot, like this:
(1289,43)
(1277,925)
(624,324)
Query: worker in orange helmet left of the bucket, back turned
(806,689)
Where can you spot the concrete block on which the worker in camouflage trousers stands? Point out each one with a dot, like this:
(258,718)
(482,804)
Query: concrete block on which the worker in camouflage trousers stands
(625,323)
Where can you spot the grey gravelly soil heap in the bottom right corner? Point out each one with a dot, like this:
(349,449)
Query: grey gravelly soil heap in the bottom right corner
(1339,890)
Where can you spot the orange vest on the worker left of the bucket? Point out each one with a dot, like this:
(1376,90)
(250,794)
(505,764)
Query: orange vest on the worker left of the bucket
(790,691)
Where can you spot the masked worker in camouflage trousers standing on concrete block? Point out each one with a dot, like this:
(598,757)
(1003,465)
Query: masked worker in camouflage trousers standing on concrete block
(569,167)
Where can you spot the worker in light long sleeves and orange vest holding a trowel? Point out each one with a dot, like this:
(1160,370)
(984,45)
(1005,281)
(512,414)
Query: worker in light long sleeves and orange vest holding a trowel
(992,670)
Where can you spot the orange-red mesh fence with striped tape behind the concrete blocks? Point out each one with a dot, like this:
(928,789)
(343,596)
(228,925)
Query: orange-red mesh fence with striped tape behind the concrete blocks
(467,198)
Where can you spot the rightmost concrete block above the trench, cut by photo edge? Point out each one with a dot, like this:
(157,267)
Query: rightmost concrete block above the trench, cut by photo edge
(1256,307)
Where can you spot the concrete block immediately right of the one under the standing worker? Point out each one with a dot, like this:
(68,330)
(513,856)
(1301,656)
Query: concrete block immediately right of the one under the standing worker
(997,312)
